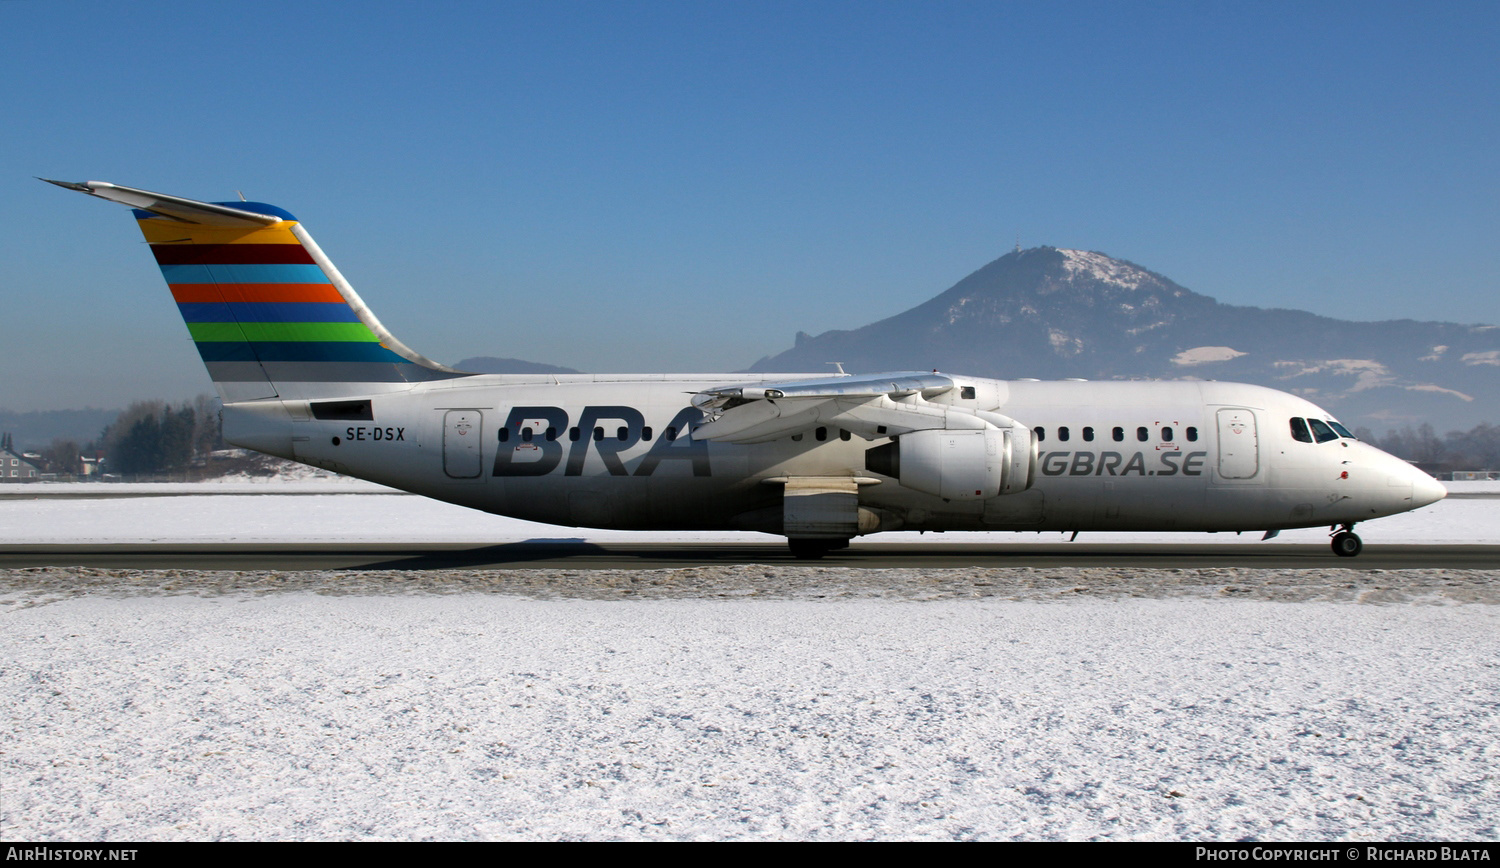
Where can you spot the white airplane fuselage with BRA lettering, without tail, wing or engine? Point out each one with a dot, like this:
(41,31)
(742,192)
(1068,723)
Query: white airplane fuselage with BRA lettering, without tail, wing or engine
(601,452)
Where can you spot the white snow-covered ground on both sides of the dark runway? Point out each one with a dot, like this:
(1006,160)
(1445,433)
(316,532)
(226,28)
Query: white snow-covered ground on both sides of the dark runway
(187,707)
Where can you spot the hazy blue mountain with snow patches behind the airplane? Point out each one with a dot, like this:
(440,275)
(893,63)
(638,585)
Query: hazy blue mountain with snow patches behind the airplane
(1051,314)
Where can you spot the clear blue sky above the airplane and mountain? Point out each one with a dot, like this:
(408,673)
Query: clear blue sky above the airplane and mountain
(683,187)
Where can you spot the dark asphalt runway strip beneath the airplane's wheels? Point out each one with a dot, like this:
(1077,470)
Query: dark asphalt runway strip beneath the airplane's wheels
(583,555)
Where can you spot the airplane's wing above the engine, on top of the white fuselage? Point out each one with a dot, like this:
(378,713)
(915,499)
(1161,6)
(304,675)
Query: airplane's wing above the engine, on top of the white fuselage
(872,407)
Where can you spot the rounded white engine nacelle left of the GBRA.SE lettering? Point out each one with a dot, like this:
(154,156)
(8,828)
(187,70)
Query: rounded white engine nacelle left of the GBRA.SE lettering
(959,465)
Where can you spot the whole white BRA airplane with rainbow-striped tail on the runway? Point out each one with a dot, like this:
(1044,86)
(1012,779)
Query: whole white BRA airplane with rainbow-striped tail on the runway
(307,373)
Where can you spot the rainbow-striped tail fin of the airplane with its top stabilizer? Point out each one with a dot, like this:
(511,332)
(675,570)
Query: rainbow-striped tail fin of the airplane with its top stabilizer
(269,313)
